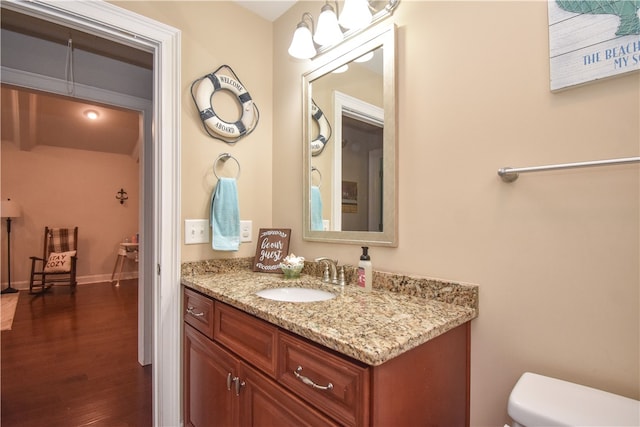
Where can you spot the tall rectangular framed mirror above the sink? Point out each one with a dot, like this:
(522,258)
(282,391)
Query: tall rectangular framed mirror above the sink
(350,144)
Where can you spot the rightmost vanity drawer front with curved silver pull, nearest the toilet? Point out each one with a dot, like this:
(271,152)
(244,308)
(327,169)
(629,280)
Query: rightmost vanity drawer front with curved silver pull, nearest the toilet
(345,400)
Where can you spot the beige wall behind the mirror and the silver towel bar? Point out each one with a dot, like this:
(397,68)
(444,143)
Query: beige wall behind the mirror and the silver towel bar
(556,254)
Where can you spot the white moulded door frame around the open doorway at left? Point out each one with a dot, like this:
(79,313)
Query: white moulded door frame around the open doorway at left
(160,249)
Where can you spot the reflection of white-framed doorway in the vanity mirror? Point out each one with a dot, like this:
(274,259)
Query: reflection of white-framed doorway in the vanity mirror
(357,191)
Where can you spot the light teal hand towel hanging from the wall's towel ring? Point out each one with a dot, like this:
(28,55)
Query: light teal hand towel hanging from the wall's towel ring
(225,216)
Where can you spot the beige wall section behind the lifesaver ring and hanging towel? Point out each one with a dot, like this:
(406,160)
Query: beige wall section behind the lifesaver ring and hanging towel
(214,34)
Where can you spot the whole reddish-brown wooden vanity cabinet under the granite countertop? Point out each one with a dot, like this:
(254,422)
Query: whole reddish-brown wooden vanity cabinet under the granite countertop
(249,372)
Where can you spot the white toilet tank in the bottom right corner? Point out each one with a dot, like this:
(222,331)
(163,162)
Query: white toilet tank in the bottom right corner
(538,401)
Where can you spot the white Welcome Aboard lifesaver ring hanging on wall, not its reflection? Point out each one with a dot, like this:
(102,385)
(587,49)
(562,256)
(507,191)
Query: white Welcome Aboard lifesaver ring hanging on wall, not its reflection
(202,91)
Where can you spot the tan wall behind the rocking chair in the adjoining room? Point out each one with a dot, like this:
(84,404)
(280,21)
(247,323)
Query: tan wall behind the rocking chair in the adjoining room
(60,187)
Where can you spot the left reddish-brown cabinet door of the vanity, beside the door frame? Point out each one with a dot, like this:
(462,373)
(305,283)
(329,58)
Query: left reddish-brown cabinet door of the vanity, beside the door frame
(208,401)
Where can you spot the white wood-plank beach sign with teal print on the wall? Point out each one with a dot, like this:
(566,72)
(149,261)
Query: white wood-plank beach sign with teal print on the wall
(591,40)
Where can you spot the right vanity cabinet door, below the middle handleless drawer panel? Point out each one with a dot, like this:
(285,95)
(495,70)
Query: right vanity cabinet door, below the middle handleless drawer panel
(265,404)
